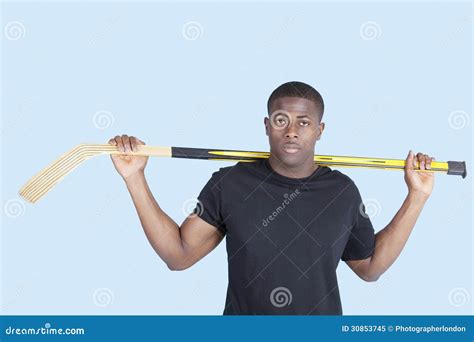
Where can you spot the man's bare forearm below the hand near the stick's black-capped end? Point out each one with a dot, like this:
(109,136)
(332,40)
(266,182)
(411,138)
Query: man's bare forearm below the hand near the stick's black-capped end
(389,242)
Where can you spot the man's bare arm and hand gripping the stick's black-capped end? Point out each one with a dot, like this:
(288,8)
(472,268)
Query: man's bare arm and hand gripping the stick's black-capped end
(390,241)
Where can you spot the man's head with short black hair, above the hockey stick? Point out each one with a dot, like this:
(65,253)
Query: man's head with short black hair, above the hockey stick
(295,111)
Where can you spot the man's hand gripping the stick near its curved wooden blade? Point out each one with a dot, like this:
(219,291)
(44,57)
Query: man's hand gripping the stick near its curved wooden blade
(125,164)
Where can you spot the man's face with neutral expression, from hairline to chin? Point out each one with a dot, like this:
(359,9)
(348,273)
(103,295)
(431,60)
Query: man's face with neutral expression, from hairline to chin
(293,129)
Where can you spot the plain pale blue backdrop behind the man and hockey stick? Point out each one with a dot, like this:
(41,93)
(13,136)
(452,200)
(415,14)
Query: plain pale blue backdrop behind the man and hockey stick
(81,250)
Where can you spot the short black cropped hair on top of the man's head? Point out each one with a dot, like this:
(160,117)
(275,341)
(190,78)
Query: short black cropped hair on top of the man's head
(297,89)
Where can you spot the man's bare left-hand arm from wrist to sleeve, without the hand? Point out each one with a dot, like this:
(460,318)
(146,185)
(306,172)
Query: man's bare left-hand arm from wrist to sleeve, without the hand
(179,247)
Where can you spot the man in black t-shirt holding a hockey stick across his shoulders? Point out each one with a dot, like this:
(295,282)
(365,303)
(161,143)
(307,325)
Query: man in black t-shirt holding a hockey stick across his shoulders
(288,221)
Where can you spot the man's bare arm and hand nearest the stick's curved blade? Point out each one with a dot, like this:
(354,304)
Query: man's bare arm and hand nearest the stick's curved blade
(179,247)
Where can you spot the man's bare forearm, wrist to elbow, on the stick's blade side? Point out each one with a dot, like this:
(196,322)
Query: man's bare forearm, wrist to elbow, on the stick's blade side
(161,231)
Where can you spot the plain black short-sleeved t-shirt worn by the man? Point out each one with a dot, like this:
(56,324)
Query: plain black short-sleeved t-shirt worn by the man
(285,236)
